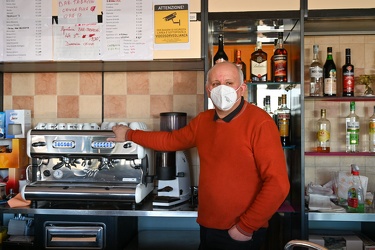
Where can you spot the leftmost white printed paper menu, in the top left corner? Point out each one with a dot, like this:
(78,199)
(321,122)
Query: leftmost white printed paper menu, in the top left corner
(27,30)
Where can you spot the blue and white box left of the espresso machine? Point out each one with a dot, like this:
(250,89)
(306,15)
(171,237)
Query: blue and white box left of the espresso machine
(17,123)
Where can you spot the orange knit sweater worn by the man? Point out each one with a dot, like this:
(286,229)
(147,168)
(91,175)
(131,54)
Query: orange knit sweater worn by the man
(243,176)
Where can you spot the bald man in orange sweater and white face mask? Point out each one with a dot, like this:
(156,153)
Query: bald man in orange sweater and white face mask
(243,175)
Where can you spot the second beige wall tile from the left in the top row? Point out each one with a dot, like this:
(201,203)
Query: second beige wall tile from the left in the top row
(68,83)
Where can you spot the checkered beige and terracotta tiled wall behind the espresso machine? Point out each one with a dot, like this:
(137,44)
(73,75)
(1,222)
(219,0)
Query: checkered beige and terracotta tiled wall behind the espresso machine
(127,96)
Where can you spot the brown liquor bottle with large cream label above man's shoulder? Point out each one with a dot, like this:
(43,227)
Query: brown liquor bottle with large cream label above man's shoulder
(258,64)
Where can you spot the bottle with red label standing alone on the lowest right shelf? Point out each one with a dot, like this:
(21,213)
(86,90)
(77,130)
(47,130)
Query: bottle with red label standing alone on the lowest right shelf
(356,201)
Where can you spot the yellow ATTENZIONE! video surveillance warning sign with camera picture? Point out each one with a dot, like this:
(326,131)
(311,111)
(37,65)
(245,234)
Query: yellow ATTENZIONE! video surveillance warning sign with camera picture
(171,23)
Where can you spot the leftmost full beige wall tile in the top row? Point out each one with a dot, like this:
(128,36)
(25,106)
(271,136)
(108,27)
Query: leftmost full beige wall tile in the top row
(23,84)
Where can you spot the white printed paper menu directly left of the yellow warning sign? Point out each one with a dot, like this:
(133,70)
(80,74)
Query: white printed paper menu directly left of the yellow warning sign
(127,30)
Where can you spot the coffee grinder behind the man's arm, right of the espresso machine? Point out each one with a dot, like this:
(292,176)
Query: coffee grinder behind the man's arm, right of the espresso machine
(172,168)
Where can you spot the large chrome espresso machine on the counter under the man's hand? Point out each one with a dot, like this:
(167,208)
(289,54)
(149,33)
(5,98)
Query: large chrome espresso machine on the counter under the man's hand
(81,165)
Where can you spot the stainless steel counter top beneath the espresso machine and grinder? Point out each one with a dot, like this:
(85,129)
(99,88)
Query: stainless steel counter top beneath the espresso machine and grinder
(104,209)
